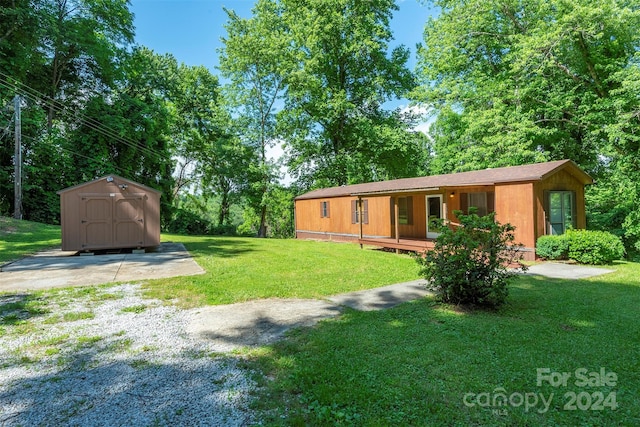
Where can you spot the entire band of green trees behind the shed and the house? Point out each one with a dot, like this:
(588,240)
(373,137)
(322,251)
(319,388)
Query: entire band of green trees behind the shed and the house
(507,82)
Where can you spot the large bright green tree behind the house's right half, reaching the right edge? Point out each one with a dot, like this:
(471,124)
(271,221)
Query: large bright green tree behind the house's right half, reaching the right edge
(519,82)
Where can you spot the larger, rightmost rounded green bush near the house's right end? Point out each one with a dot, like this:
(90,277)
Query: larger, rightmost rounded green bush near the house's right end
(594,247)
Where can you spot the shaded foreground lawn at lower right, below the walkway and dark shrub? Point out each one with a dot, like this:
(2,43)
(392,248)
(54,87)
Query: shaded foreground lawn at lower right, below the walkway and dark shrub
(413,365)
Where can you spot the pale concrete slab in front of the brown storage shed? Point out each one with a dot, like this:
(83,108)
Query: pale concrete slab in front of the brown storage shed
(53,269)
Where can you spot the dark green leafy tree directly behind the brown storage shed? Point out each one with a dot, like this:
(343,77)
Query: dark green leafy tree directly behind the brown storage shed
(128,132)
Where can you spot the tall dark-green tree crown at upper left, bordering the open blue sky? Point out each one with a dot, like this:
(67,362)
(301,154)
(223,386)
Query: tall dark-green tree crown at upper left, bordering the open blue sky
(82,42)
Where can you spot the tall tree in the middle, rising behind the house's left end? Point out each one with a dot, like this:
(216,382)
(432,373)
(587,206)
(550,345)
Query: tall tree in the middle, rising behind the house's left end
(335,126)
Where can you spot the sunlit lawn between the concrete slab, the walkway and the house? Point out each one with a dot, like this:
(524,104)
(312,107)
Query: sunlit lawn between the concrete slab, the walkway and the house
(241,269)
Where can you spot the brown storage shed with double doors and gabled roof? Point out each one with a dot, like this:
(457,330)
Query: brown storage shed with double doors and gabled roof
(109,213)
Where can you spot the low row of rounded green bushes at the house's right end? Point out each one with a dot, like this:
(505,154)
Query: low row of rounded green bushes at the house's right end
(583,246)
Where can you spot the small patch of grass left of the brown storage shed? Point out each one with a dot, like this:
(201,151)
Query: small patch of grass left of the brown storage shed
(21,238)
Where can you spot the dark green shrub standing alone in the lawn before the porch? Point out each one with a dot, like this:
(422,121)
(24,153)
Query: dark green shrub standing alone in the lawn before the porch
(469,264)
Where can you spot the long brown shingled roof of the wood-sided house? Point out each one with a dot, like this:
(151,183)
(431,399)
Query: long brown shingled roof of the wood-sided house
(524,173)
